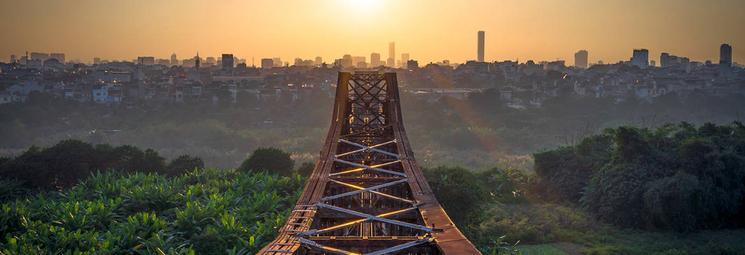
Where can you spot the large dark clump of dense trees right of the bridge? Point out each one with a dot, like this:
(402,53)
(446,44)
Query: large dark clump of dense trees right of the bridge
(676,177)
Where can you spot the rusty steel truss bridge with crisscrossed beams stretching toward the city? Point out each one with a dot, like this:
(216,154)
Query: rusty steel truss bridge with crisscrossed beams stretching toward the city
(366,194)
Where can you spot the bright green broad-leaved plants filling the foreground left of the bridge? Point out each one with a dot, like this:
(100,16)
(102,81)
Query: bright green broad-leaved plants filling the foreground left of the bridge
(200,212)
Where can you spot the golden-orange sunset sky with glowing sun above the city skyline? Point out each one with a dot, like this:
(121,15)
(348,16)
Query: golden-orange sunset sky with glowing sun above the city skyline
(429,30)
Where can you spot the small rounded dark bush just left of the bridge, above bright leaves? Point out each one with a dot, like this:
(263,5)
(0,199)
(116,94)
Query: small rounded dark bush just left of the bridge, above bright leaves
(269,159)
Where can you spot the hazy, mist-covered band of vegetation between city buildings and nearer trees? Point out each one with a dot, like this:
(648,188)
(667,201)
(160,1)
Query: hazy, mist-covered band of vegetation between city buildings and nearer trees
(478,132)
